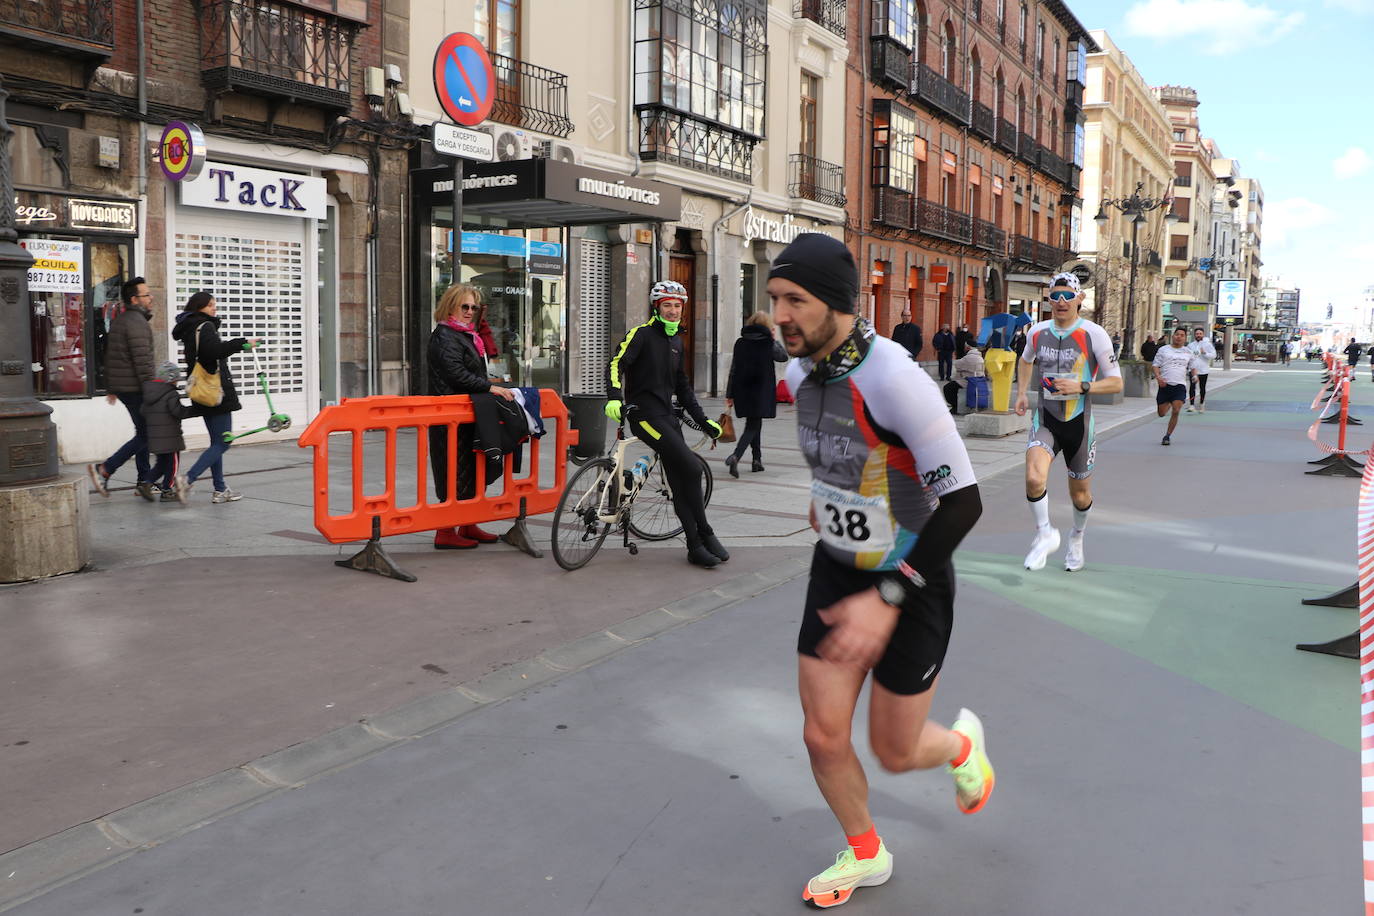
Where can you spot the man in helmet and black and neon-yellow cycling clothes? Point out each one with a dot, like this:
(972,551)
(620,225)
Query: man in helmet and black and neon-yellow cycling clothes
(642,380)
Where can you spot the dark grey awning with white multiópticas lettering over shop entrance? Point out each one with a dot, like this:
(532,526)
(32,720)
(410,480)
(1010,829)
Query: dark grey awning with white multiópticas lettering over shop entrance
(548,193)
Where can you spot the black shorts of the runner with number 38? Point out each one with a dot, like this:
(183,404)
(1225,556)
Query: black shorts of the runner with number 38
(919,645)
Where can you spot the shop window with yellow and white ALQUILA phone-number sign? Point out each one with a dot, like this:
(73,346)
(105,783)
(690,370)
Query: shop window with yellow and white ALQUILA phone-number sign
(74,296)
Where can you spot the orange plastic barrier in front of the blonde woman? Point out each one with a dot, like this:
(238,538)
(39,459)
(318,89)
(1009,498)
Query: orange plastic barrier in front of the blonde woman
(392,414)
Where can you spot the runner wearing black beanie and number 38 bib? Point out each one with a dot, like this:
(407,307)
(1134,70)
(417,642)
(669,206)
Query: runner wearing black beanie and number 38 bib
(892,496)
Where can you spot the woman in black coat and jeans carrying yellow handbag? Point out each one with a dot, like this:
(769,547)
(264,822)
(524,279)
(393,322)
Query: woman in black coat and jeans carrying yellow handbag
(211,387)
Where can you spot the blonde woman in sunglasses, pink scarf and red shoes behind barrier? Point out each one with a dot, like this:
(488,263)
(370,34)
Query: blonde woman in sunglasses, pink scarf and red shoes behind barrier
(458,366)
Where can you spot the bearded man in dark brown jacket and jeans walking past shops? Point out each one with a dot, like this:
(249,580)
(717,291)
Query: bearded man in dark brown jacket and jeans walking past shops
(128,365)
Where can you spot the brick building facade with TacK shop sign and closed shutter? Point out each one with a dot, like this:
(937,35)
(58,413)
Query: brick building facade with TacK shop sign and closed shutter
(281,226)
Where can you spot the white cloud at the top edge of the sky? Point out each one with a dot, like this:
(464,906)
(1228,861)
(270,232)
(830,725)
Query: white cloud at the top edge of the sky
(1225,27)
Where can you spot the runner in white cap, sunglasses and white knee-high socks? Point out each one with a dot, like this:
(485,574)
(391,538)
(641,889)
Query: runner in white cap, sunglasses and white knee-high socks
(1068,356)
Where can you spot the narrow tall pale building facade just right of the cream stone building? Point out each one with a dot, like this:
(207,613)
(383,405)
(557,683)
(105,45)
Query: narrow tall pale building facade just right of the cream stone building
(1188,289)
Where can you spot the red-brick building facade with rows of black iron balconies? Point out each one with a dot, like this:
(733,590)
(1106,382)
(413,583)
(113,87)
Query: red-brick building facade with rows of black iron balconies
(967,152)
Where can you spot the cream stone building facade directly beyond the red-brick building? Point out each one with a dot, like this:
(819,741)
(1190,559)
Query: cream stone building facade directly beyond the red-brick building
(1127,148)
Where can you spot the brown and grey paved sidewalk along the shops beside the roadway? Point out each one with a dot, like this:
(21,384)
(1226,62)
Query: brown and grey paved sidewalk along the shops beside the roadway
(218,645)
